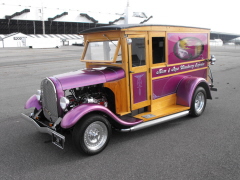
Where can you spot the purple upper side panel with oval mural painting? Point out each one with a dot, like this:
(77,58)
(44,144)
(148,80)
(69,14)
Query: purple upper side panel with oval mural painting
(183,47)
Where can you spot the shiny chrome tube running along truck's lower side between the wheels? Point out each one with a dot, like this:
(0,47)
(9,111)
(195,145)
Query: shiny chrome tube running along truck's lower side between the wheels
(155,122)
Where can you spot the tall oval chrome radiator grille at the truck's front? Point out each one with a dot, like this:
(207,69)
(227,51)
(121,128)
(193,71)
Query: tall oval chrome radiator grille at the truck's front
(49,100)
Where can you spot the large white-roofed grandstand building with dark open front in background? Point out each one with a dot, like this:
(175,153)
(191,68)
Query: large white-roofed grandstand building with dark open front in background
(43,20)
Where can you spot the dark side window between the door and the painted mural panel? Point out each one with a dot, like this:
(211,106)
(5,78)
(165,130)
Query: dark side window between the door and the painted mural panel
(158,50)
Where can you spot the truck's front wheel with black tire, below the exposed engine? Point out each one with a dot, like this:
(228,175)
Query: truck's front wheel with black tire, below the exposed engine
(92,134)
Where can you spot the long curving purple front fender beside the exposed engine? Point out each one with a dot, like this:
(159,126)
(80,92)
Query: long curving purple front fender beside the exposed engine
(73,116)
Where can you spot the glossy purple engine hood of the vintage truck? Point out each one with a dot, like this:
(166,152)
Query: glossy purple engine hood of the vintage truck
(88,77)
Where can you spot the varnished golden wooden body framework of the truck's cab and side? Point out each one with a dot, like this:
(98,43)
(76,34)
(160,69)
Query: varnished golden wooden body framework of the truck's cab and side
(123,89)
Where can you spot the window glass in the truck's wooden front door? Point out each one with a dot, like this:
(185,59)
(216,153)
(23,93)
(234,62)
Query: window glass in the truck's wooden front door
(138,52)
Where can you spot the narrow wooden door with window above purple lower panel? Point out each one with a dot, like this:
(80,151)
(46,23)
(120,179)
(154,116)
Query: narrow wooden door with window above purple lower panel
(139,71)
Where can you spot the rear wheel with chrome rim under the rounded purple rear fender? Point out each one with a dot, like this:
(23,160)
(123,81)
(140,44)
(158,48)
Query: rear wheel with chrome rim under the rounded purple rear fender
(198,102)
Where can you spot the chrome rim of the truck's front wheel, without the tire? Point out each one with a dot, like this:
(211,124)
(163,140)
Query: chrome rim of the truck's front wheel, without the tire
(95,136)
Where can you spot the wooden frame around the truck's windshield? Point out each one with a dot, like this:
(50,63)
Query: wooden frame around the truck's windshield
(102,40)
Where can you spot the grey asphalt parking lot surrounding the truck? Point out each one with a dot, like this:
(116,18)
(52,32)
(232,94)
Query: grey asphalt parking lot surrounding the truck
(204,148)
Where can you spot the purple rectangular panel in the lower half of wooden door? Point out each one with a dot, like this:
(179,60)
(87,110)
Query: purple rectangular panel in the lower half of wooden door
(139,87)
